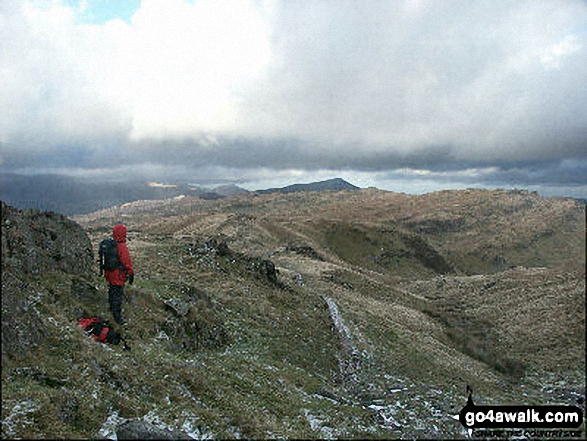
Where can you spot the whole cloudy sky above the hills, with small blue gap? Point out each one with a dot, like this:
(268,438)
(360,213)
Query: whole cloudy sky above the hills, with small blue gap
(403,95)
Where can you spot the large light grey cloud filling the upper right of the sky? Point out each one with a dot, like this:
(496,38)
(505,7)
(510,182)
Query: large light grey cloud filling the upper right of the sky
(465,75)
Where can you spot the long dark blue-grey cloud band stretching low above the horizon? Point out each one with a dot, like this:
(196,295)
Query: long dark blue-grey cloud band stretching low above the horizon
(190,158)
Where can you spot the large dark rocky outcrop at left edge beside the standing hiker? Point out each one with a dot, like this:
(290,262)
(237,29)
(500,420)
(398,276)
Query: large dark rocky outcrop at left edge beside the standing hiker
(36,246)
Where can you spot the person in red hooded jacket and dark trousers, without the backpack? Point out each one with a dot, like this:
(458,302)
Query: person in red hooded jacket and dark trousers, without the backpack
(118,276)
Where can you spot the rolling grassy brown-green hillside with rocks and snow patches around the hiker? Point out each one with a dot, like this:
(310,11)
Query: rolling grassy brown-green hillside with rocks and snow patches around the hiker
(358,313)
